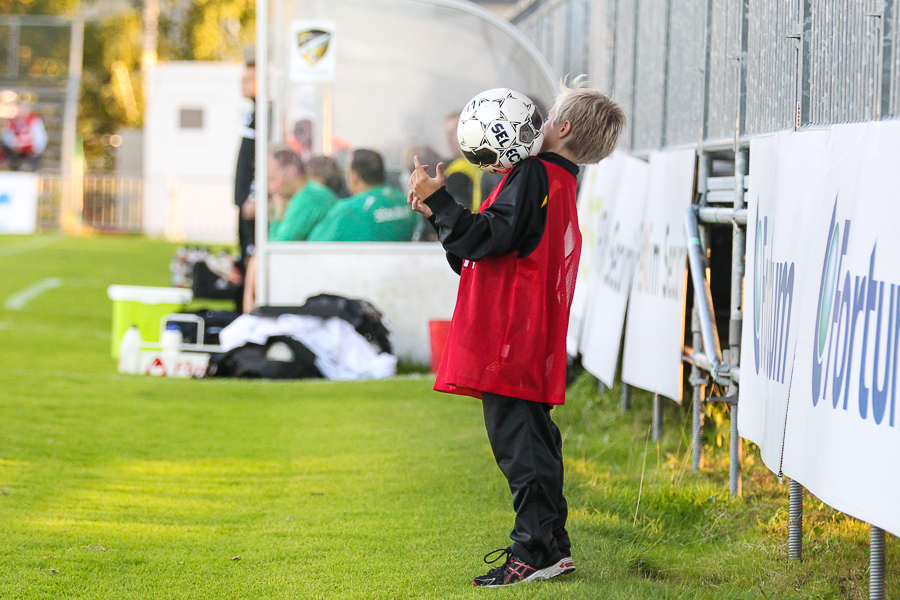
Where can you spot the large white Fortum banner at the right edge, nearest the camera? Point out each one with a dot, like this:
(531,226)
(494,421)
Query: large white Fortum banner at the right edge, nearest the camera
(842,437)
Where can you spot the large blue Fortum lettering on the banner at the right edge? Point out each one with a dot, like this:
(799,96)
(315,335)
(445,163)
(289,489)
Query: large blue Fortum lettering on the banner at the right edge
(846,302)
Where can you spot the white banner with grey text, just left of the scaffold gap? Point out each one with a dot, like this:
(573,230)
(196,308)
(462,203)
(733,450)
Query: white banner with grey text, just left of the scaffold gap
(654,333)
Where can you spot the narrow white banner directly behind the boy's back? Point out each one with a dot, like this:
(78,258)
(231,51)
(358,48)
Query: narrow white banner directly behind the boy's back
(596,183)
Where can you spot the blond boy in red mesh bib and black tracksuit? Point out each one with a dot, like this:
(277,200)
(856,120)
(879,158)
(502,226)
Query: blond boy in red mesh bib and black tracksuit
(517,259)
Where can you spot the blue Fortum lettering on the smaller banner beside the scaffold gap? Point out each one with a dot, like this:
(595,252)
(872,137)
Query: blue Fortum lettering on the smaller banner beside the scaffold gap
(773,299)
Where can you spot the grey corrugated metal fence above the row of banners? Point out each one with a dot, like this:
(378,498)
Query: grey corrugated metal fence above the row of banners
(715,70)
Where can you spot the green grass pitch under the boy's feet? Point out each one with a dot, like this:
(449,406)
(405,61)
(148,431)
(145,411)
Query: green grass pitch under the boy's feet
(127,487)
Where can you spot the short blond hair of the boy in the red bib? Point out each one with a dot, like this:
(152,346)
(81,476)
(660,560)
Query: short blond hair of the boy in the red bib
(596,121)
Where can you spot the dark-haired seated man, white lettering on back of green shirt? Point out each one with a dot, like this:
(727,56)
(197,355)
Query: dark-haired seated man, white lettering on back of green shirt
(374,213)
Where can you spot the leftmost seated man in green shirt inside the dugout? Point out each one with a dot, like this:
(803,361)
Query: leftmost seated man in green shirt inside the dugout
(309,200)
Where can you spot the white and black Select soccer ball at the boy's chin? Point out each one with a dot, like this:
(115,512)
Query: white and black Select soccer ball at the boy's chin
(498,128)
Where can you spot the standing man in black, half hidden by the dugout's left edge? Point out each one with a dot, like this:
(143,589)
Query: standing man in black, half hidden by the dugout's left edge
(245,180)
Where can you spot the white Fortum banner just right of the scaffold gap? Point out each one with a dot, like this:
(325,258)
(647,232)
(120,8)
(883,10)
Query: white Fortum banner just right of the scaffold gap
(784,168)
